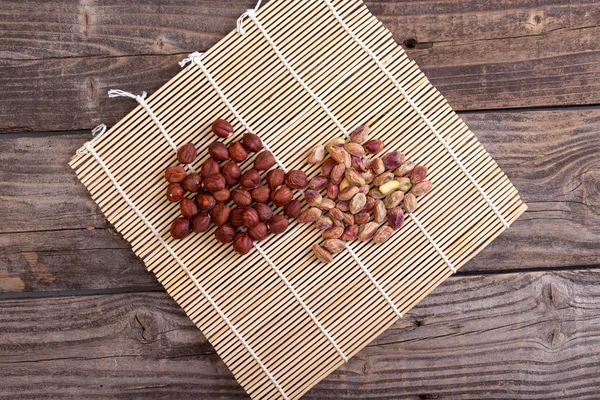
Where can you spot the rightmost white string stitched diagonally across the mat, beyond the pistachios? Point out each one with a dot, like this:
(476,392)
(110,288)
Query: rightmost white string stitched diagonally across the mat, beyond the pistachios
(417,109)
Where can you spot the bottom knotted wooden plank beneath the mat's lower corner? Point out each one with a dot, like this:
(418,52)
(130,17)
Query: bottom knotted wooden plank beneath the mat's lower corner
(528,336)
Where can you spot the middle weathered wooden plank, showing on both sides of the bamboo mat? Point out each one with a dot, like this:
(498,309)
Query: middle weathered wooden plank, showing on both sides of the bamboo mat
(551,156)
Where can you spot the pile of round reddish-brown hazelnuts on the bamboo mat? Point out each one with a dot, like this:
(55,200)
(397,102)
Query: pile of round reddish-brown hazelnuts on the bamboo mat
(221,182)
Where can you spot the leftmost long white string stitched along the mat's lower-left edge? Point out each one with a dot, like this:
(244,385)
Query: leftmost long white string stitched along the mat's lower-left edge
(89,148)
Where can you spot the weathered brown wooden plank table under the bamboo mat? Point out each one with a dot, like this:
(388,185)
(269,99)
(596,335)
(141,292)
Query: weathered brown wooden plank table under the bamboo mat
(81,318)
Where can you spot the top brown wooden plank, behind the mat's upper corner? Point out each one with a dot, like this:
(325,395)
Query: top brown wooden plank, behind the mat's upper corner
(58,64)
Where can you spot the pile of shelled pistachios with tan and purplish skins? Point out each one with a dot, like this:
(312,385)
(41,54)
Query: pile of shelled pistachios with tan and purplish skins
(358,197)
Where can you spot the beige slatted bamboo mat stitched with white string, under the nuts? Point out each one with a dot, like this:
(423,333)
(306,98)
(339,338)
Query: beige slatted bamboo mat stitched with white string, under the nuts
(279,319)
